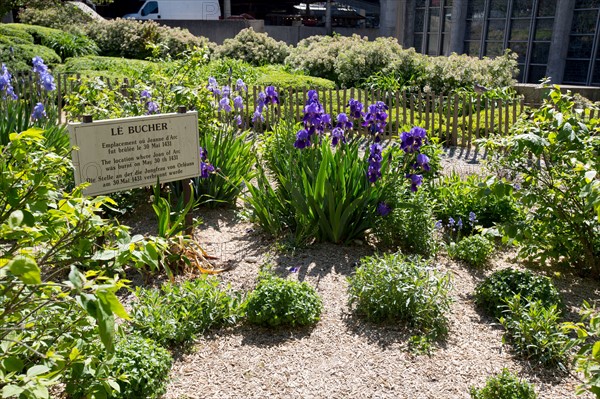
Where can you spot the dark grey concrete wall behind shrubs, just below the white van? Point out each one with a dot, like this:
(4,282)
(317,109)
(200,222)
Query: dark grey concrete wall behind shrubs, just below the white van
(217,31)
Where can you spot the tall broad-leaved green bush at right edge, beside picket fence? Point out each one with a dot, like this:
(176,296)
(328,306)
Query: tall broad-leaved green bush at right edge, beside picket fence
(553,153)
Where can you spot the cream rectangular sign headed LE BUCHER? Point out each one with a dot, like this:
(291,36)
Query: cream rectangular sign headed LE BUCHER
(120,154)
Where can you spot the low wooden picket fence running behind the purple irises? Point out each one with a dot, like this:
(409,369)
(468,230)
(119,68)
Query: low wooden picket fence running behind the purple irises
(456,119)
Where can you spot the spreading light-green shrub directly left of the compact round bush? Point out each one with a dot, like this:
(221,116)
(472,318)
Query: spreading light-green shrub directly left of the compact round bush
(175,313)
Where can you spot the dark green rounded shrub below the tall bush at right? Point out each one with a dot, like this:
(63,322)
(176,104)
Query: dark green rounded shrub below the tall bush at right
(492,293)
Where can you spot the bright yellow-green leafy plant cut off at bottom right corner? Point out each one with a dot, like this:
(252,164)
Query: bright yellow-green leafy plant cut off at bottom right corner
(587,359)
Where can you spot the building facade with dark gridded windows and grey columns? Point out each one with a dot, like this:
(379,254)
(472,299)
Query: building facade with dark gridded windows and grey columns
(559,39)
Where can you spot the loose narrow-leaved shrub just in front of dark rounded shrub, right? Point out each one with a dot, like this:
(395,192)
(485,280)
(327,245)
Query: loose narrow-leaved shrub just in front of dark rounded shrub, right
(534,331)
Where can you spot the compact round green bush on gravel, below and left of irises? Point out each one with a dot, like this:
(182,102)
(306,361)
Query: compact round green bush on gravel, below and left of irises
(279,302)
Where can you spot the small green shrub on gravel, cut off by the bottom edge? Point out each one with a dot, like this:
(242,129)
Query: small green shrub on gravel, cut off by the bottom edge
(504,386)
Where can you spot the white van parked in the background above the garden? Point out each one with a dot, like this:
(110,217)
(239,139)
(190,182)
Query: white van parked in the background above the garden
(178,9)
